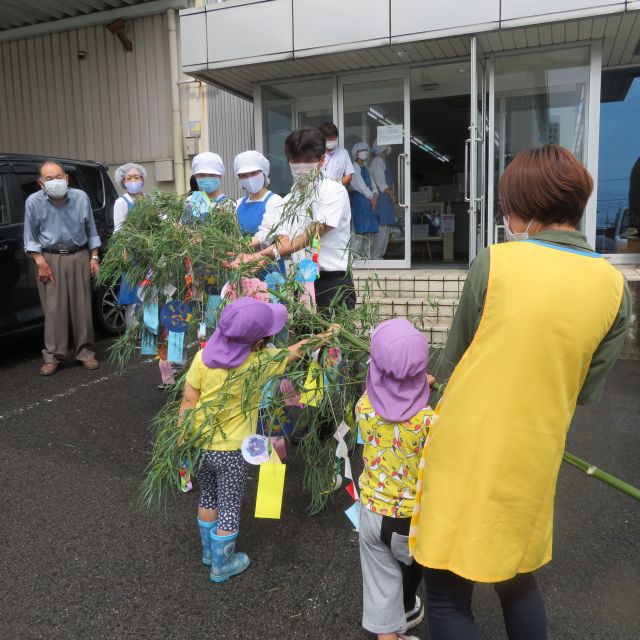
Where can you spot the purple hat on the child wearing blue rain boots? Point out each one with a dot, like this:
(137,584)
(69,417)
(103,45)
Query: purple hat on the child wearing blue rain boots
(241,324)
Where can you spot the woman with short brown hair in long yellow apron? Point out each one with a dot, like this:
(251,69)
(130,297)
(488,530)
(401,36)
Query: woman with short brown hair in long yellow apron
(540,323)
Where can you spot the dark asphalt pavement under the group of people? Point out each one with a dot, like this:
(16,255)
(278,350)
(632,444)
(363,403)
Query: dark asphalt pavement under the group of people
(78,560)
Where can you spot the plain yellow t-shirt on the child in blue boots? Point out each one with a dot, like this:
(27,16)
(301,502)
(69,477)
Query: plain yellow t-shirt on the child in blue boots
(227,411)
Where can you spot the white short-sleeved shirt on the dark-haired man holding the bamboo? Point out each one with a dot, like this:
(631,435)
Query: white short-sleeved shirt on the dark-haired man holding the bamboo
(330,206)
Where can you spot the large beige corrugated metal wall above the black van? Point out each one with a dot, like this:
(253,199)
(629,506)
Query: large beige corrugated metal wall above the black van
(111,106)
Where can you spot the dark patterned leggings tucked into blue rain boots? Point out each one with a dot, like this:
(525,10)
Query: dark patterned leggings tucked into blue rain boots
(221,476)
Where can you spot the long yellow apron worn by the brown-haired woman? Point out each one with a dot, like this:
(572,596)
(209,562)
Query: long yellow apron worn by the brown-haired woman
(484,508)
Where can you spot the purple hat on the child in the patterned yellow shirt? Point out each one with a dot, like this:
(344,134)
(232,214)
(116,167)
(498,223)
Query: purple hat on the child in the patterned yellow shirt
(397,377)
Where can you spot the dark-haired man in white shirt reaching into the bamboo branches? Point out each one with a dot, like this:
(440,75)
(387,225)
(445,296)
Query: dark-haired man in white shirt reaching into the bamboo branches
(327,217)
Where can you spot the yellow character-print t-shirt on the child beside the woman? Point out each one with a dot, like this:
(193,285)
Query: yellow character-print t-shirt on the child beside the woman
(392,452)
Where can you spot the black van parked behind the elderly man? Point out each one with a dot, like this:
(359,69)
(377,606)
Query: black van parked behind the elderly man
(19,303)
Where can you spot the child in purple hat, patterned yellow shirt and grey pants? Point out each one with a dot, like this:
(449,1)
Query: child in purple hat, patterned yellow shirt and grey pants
(393,417)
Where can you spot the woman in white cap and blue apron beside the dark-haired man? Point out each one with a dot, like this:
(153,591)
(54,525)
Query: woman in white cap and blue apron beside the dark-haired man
(260,210)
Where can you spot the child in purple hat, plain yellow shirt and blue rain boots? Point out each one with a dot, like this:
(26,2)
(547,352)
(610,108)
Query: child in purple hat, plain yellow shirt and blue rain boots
(224,385)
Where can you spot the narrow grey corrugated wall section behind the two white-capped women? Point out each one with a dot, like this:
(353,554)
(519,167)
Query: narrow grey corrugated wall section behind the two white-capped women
(230,131)
